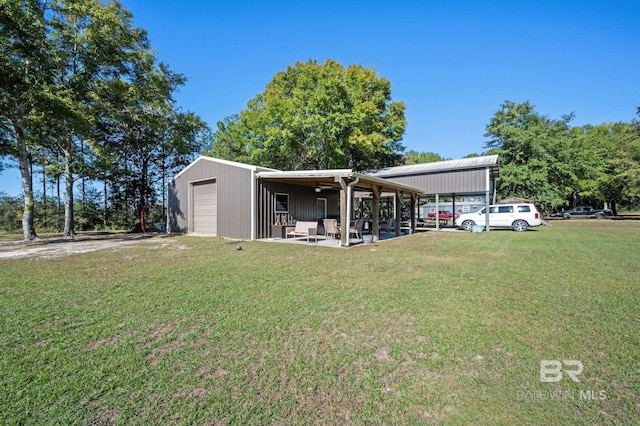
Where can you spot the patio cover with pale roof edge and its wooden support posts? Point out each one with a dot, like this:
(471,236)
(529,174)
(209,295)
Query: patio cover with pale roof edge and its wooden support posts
(347,182)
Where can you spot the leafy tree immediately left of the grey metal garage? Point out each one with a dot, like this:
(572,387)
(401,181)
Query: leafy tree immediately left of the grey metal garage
(143,137)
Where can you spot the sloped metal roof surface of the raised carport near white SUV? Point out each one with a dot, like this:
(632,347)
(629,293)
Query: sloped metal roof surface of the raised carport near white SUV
(442,166)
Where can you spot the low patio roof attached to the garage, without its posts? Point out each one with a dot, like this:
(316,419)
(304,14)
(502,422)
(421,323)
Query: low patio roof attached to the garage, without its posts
(331,179)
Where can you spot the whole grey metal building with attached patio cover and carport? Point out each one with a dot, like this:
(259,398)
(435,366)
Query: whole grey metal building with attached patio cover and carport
(236,200)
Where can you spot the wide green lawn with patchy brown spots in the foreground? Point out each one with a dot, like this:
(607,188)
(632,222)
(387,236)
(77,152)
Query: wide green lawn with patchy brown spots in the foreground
(433,328)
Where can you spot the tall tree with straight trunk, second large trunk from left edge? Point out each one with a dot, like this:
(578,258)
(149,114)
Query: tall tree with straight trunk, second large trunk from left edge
(94,42)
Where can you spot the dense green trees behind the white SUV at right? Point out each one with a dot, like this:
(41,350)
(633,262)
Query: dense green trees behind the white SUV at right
(558,165)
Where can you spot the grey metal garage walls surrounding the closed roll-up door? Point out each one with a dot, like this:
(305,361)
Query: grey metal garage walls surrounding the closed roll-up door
(233,198)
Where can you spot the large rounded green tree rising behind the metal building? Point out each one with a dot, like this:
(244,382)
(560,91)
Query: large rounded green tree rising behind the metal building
(318,116)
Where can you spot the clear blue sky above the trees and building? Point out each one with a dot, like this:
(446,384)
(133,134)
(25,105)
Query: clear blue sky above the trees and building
(452,62)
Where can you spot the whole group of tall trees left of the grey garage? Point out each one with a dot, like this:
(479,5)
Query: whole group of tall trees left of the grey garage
(84,99)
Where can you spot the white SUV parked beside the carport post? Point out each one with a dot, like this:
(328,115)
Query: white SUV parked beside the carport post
(518,217)
